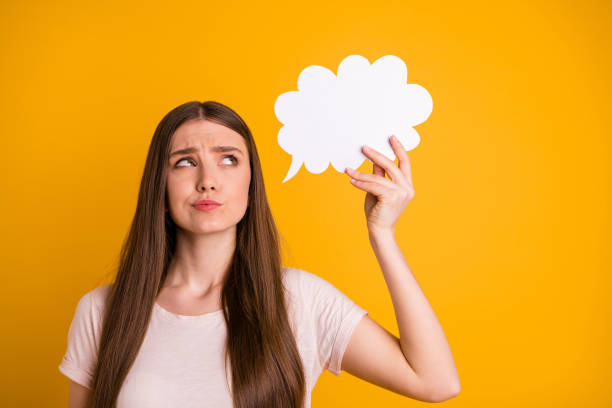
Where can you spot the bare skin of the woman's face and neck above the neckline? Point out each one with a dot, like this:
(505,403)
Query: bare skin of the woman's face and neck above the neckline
(205,239)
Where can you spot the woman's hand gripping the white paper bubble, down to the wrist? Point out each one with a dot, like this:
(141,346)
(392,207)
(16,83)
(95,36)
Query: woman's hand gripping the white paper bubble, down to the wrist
(385,199)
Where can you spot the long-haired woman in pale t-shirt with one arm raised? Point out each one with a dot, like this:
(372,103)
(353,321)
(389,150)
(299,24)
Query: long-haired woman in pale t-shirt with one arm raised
(201,312)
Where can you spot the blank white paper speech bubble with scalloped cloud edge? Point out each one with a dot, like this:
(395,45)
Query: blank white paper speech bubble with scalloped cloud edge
(330,117)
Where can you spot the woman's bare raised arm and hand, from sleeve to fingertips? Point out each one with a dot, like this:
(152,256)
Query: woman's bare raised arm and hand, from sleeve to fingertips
(419,364)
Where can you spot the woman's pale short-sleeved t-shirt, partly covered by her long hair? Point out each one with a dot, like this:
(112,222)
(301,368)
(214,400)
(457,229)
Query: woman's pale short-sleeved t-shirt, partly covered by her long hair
(181,361)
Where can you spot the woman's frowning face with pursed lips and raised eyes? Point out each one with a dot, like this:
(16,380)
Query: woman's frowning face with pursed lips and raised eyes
(208,161)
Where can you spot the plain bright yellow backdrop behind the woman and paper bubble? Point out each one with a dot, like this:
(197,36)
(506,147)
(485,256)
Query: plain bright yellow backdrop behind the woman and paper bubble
(508,233)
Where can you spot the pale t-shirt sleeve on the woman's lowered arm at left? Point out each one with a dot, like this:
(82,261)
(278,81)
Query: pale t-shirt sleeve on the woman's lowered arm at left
(79,361)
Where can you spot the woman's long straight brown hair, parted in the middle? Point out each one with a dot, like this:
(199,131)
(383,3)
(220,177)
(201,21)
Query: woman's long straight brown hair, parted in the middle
(266,368)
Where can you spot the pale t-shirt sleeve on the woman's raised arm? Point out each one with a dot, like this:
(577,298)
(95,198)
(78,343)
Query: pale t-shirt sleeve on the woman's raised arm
(335,318)
